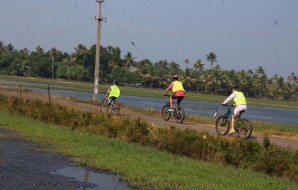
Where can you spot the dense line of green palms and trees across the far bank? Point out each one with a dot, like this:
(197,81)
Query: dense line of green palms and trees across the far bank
(79,65)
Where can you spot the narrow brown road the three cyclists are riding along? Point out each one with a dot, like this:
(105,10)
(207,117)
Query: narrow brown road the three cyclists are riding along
(157,121)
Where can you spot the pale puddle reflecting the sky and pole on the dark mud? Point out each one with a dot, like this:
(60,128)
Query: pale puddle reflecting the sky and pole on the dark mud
(93,180)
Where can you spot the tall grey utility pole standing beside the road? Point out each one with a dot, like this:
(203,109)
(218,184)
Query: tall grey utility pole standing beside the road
(97,58)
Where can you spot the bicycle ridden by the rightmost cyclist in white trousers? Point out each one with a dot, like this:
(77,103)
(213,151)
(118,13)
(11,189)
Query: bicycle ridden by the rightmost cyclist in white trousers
(243,127)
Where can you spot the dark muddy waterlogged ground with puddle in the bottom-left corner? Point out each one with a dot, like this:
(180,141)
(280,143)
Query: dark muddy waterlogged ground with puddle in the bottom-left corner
(23,166)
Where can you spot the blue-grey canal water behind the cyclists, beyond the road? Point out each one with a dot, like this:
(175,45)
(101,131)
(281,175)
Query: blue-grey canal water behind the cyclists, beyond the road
(196,108)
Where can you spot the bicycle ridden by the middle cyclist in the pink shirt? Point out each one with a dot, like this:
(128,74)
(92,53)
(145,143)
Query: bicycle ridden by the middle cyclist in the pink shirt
(178,112)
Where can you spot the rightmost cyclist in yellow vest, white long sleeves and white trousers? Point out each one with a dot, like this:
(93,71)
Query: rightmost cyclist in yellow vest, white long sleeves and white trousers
(240,104)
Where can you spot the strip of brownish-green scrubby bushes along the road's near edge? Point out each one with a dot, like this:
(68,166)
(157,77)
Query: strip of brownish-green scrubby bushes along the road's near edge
(266,158)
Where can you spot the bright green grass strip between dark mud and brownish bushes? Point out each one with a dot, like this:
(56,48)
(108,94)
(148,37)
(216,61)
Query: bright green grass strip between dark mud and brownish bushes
(140,166)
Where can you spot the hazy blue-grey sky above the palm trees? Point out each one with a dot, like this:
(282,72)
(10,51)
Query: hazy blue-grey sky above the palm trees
(244,34)
